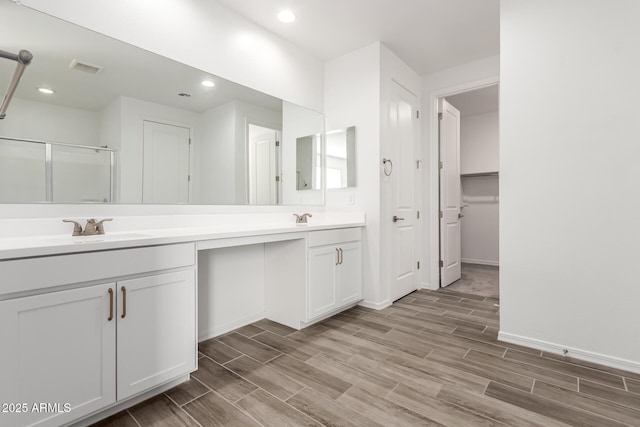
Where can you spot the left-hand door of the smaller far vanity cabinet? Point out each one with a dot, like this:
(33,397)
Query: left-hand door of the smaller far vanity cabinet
(322,296)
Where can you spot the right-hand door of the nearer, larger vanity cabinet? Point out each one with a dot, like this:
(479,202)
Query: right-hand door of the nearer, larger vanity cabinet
(156,330)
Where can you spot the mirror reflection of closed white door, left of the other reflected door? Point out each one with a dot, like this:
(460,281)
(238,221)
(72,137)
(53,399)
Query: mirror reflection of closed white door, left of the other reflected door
(166,152)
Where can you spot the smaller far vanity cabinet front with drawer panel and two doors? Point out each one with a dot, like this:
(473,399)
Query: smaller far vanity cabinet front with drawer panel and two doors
(334,271)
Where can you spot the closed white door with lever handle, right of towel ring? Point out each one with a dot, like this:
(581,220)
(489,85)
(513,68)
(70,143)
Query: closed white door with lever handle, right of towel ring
(403,126)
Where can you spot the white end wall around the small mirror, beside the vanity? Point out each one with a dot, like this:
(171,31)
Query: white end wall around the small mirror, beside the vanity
(352,98)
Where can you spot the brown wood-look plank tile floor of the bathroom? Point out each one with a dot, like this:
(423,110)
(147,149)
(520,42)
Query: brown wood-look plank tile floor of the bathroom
(430,359)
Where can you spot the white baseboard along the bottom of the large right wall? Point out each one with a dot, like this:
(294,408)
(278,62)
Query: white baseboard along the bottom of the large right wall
(576,353)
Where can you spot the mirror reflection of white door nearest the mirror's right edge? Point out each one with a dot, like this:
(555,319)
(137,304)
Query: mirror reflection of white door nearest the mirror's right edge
(264,166)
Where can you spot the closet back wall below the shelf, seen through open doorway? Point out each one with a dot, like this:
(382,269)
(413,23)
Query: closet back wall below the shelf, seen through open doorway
(479,226)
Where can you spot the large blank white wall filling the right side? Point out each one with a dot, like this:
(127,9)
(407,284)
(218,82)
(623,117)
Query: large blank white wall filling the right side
(569,151)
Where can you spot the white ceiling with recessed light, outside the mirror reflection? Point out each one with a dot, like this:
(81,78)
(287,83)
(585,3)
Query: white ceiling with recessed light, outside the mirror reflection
(429,35)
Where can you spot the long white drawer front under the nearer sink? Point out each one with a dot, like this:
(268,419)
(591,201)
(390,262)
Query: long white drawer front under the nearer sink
(36,273)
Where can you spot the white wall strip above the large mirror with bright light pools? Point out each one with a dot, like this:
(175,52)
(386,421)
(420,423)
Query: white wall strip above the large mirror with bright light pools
(205,35)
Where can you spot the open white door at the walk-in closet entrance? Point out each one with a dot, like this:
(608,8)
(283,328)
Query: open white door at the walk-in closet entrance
(450,197)
